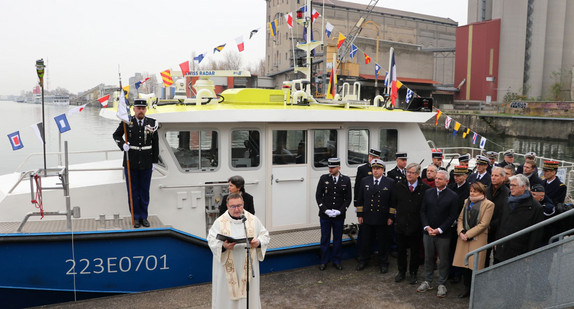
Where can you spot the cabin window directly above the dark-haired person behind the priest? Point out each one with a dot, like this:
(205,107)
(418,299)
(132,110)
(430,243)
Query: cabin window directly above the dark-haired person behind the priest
(245,148)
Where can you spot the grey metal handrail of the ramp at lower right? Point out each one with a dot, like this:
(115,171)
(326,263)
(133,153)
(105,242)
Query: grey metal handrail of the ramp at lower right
(525,231)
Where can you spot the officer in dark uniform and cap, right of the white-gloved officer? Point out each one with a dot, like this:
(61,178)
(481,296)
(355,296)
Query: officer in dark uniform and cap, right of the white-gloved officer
(375,214)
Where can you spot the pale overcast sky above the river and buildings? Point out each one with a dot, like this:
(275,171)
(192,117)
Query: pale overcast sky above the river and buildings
(84,42)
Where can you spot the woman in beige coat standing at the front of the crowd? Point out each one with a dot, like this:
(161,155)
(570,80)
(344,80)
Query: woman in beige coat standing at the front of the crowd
(472,231)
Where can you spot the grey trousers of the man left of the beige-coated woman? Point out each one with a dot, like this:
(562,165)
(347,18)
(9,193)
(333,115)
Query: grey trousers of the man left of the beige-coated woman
(440,245)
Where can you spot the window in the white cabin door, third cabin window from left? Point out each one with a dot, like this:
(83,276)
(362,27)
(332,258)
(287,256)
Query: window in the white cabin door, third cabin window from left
(289,147)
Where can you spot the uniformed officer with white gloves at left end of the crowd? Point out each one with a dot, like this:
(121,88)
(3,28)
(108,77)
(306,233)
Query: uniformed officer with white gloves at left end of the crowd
(333,197)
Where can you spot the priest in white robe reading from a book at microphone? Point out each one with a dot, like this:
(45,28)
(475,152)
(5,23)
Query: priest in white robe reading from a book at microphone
(229,281)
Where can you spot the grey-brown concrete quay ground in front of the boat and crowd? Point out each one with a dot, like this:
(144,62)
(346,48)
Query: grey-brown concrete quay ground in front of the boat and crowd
(300,288)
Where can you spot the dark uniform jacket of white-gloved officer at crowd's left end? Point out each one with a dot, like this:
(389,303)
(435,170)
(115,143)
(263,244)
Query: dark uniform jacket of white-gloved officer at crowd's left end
(331,195)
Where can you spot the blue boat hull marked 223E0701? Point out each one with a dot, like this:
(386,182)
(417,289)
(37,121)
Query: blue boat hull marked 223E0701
(46,268)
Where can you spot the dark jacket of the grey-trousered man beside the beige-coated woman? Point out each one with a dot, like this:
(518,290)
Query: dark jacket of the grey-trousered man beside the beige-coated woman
(439,211)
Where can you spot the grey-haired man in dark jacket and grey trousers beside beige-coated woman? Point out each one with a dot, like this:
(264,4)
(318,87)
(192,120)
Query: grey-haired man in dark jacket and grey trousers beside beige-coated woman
(438,212)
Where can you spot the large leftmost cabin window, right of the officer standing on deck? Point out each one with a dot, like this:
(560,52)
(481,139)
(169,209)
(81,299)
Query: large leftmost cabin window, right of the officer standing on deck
(195,149)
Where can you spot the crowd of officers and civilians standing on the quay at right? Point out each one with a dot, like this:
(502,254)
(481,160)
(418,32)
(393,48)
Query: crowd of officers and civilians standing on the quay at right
(440,216)
